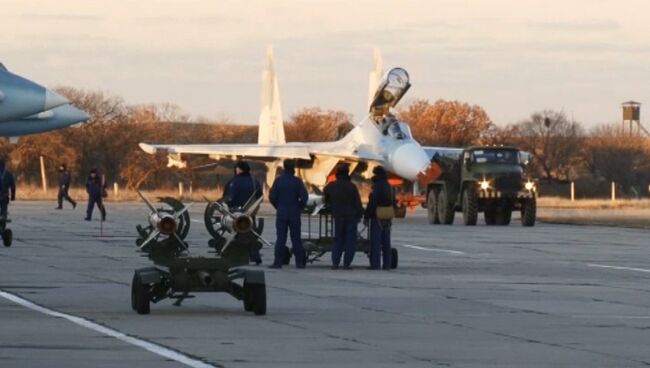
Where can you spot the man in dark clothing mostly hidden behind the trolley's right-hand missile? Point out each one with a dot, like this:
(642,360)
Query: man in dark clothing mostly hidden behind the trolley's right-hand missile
(241,189)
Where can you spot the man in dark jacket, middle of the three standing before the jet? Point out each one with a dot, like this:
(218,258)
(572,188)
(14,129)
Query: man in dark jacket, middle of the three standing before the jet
(344,200)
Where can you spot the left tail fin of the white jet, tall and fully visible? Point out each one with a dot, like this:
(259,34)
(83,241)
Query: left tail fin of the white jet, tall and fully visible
(271,126)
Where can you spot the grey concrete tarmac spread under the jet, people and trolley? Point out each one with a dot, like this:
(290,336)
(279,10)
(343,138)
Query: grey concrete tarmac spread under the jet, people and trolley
(552,295)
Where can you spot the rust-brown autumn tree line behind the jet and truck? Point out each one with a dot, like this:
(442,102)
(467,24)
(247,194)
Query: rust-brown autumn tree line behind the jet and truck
(563,149)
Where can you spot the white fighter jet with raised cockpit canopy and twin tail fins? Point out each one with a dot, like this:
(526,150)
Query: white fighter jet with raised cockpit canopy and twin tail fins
(379,139)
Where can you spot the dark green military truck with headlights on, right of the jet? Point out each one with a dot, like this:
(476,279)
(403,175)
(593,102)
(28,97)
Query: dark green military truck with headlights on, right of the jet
(486,179)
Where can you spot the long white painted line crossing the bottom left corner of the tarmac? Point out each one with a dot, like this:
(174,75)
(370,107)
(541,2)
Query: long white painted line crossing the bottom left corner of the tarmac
(149,346)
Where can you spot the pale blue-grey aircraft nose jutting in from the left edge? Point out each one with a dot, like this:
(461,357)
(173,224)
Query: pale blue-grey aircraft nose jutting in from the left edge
(27,107)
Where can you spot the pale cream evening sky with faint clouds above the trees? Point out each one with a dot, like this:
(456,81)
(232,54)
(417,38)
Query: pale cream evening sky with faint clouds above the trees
(511,57)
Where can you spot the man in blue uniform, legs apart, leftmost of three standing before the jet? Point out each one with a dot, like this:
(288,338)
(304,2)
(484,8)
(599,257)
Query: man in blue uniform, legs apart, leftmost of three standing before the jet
(288,196)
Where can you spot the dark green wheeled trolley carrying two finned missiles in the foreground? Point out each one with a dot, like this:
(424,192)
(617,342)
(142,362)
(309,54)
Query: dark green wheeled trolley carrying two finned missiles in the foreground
(177,273)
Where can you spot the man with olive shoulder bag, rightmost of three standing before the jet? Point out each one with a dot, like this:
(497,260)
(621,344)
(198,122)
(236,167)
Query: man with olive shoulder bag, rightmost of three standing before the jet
(381,195)
